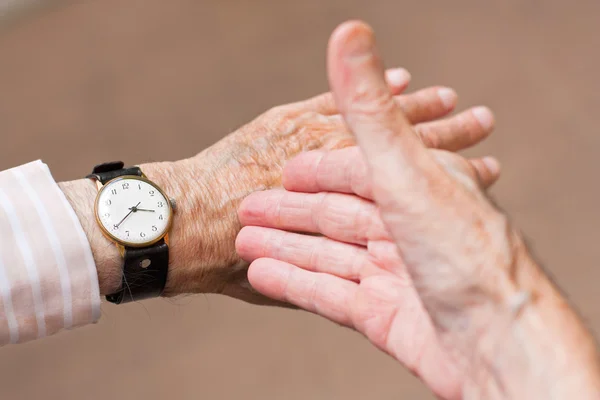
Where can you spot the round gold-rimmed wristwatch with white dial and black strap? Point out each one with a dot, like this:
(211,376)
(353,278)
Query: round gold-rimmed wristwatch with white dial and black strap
(135,214)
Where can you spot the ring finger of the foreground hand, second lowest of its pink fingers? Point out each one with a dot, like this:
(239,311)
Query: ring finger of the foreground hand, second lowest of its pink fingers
(315,253)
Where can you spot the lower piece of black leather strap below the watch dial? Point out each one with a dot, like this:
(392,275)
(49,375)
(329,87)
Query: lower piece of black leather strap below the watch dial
(144,273)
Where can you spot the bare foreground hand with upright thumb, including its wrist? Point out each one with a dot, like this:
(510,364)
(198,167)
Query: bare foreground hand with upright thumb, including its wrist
(429,270)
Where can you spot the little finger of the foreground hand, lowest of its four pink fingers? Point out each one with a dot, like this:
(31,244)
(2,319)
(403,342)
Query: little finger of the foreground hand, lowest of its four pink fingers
(323,294)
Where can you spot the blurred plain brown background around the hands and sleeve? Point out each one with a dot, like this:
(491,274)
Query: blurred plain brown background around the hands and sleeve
(88,81)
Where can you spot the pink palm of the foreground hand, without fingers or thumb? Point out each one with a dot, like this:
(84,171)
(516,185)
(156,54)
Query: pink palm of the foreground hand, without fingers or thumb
(388,311)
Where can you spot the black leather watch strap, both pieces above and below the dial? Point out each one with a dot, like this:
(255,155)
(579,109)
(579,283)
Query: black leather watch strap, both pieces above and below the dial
(144,269)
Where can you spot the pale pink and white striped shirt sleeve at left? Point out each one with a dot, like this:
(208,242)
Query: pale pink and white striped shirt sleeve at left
(48,279)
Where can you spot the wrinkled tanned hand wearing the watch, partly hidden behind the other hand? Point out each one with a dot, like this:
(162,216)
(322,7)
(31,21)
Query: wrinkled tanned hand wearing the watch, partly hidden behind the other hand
(252,158)
